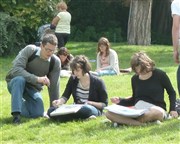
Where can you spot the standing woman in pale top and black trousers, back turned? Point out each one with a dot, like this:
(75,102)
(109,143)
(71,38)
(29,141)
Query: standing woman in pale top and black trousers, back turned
(61,24)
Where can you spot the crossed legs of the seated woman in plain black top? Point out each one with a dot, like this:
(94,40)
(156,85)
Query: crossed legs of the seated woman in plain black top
(154,113)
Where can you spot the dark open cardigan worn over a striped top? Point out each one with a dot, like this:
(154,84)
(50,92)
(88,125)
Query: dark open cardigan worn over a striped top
(97,90)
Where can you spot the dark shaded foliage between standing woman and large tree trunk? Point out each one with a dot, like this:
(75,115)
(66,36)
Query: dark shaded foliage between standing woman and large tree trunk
(92,20)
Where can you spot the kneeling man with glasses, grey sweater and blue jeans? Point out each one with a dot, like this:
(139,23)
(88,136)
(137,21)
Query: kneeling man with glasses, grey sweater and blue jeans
(26,78)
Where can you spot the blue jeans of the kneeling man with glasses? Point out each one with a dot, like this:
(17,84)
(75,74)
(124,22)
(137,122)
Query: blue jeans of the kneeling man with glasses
(25,99)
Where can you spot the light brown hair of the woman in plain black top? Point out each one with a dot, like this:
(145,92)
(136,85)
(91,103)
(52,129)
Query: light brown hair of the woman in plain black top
(143,60)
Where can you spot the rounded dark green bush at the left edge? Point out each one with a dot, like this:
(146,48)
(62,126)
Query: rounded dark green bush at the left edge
(11,32)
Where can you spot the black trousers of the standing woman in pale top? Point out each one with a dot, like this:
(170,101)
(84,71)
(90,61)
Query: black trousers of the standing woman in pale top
(62,39)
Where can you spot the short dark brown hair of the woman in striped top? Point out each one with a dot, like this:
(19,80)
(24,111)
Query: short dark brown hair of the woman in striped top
(81,62)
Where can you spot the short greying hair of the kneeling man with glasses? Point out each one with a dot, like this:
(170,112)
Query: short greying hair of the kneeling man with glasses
(49,38)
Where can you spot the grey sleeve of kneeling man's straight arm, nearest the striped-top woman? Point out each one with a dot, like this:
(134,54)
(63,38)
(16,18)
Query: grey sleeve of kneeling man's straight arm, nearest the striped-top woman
(54,77)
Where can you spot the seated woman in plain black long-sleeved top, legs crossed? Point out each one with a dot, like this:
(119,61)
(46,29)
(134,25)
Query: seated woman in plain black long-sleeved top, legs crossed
(148,84)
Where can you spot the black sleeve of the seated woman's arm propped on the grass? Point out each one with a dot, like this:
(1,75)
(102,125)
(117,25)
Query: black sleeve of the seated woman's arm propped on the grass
(170,90)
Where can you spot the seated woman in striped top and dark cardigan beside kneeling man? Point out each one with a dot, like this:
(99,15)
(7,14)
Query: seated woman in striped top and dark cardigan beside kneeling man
(86,89)
